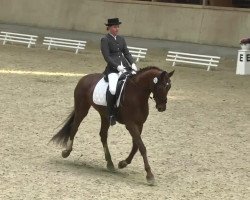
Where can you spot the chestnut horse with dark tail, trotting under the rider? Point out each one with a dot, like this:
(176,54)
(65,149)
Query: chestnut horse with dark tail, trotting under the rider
(132,112)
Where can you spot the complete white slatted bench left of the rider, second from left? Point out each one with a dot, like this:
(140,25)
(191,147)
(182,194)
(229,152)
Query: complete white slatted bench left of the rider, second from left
(64,43)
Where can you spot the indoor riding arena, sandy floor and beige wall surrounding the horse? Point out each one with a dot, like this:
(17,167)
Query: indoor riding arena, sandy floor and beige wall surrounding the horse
(198,148)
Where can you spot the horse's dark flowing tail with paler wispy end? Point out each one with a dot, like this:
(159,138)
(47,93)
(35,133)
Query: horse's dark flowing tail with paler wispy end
(63,135)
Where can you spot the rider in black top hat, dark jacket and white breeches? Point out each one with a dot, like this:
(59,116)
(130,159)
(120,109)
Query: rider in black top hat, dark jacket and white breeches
(116,54)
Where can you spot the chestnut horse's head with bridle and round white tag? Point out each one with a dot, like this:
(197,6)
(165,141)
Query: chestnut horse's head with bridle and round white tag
(161,86)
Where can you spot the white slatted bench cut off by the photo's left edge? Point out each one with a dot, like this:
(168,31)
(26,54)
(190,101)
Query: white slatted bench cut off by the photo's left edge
(19,38)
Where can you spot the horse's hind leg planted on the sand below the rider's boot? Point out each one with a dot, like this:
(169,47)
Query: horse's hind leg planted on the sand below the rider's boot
(104,136)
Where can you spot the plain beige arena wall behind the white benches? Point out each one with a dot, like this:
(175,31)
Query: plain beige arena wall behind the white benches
(209,24)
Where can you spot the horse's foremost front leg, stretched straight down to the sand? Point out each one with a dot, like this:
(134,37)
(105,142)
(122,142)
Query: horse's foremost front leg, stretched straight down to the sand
(135,133)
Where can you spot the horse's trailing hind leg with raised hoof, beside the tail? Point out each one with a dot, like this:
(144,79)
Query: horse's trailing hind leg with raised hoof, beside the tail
(81,111)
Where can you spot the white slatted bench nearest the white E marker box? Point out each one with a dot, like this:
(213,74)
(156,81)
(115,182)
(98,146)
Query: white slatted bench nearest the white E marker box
(197,59)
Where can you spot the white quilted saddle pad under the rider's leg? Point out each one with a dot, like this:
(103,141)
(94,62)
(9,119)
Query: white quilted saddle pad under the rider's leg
(99,94)
